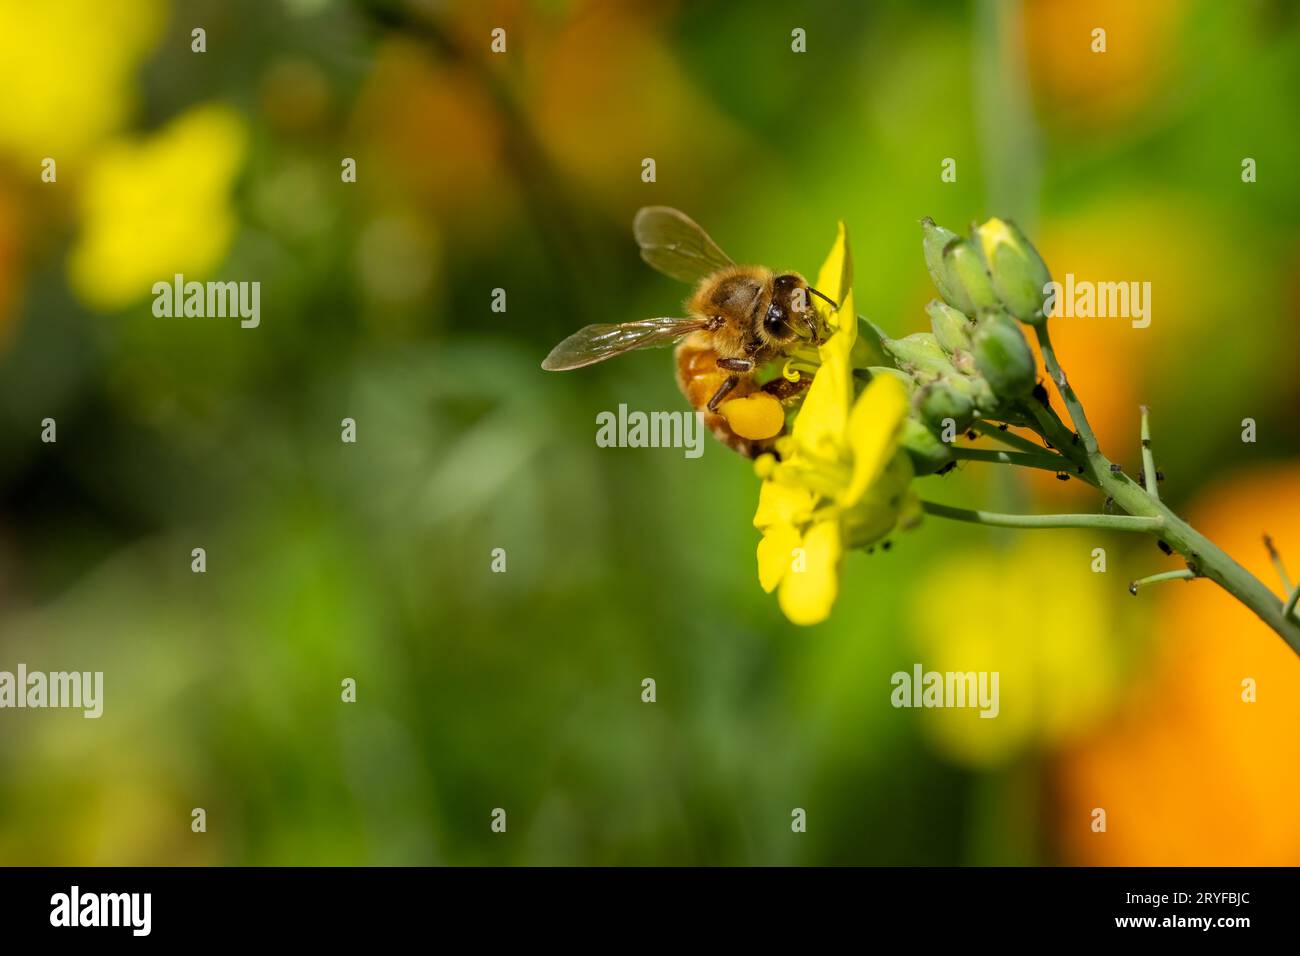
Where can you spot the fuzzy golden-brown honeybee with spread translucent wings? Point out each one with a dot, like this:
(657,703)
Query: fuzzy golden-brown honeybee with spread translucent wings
(738,321)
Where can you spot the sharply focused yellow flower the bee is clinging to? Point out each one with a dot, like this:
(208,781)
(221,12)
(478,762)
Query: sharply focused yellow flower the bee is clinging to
(843,481)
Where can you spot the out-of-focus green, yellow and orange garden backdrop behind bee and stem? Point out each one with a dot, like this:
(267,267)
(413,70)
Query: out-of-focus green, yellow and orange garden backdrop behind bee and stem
(522,171)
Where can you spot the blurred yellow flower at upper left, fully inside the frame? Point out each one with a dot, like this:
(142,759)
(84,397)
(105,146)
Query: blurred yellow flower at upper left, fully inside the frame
(161,206)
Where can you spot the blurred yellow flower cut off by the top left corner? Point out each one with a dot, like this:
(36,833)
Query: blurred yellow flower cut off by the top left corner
(68,68)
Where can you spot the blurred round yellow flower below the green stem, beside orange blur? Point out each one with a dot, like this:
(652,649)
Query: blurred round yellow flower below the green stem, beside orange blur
(1041,618)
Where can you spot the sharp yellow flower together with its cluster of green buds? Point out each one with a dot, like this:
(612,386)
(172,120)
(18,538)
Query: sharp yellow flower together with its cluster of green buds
(843,478)
